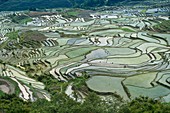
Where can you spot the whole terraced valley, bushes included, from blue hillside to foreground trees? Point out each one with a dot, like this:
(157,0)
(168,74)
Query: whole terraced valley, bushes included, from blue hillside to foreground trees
(121,52)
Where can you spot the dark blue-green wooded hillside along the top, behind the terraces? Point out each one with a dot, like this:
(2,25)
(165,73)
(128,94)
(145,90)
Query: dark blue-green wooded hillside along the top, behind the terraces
(29,4)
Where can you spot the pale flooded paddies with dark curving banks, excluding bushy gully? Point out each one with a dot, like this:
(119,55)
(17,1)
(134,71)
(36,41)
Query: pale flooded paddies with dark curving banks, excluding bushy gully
(123,56)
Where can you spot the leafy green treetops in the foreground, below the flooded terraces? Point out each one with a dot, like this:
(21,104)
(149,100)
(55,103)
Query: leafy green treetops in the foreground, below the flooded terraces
(60,103)
